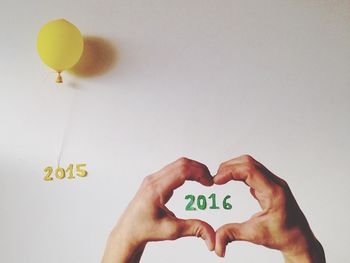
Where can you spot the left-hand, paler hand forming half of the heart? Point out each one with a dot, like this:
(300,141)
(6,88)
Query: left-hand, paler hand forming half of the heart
(148,219)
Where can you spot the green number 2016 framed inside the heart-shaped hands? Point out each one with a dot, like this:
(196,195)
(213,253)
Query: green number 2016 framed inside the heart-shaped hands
(202,202)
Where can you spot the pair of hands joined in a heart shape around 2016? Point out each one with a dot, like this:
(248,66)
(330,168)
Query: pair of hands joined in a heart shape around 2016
(280,225)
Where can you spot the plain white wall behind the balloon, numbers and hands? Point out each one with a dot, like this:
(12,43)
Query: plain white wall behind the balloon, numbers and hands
(209,80)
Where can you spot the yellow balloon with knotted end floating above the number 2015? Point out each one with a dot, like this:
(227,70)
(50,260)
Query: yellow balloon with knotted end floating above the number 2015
(60,45)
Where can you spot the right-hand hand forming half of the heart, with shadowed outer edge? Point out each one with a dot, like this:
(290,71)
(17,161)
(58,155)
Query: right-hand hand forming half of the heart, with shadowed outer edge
(280,225)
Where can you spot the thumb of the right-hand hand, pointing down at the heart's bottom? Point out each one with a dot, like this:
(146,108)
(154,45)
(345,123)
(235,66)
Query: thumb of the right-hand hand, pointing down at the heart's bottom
(231,232)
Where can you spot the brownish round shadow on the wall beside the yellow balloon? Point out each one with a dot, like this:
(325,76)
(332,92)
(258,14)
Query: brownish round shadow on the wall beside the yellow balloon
(99,56)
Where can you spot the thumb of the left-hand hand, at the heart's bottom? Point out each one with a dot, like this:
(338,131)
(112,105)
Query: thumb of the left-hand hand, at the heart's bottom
(198,228)
